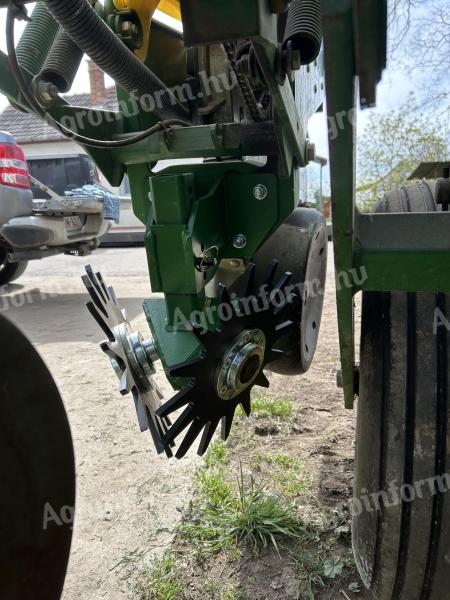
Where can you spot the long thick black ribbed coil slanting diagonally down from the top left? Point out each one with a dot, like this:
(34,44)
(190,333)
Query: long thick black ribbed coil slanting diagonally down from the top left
(98,41)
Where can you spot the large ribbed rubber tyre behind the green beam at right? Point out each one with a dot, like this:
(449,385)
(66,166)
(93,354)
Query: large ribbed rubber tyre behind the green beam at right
(401,523)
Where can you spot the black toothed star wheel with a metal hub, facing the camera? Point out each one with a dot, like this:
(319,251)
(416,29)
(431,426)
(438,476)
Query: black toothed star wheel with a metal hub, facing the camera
(233,358)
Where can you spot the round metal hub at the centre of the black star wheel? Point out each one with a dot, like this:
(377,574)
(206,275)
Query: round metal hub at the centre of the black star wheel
(241,364)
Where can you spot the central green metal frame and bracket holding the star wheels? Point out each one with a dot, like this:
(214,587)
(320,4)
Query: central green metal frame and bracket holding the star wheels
(187,209)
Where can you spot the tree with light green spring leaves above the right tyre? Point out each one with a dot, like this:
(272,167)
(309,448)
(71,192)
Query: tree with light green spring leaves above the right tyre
(390,148)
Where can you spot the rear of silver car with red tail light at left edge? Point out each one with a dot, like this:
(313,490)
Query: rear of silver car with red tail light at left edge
(34,228)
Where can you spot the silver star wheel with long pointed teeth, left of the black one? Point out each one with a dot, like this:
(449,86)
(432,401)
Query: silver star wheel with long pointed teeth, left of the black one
(131,357)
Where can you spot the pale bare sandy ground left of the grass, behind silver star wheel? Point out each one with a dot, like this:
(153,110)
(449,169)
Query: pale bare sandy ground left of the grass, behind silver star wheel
(127,497)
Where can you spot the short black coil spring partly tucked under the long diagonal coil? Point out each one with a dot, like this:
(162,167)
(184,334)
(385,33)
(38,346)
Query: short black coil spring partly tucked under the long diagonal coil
(62,63)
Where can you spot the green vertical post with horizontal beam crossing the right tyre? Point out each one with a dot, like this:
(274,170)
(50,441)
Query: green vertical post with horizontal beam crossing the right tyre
(388,252)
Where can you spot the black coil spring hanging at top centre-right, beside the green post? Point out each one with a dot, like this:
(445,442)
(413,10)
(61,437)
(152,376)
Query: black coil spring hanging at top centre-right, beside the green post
(304,29)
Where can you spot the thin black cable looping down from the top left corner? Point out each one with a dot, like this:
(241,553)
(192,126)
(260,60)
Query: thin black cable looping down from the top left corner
(33,104)
